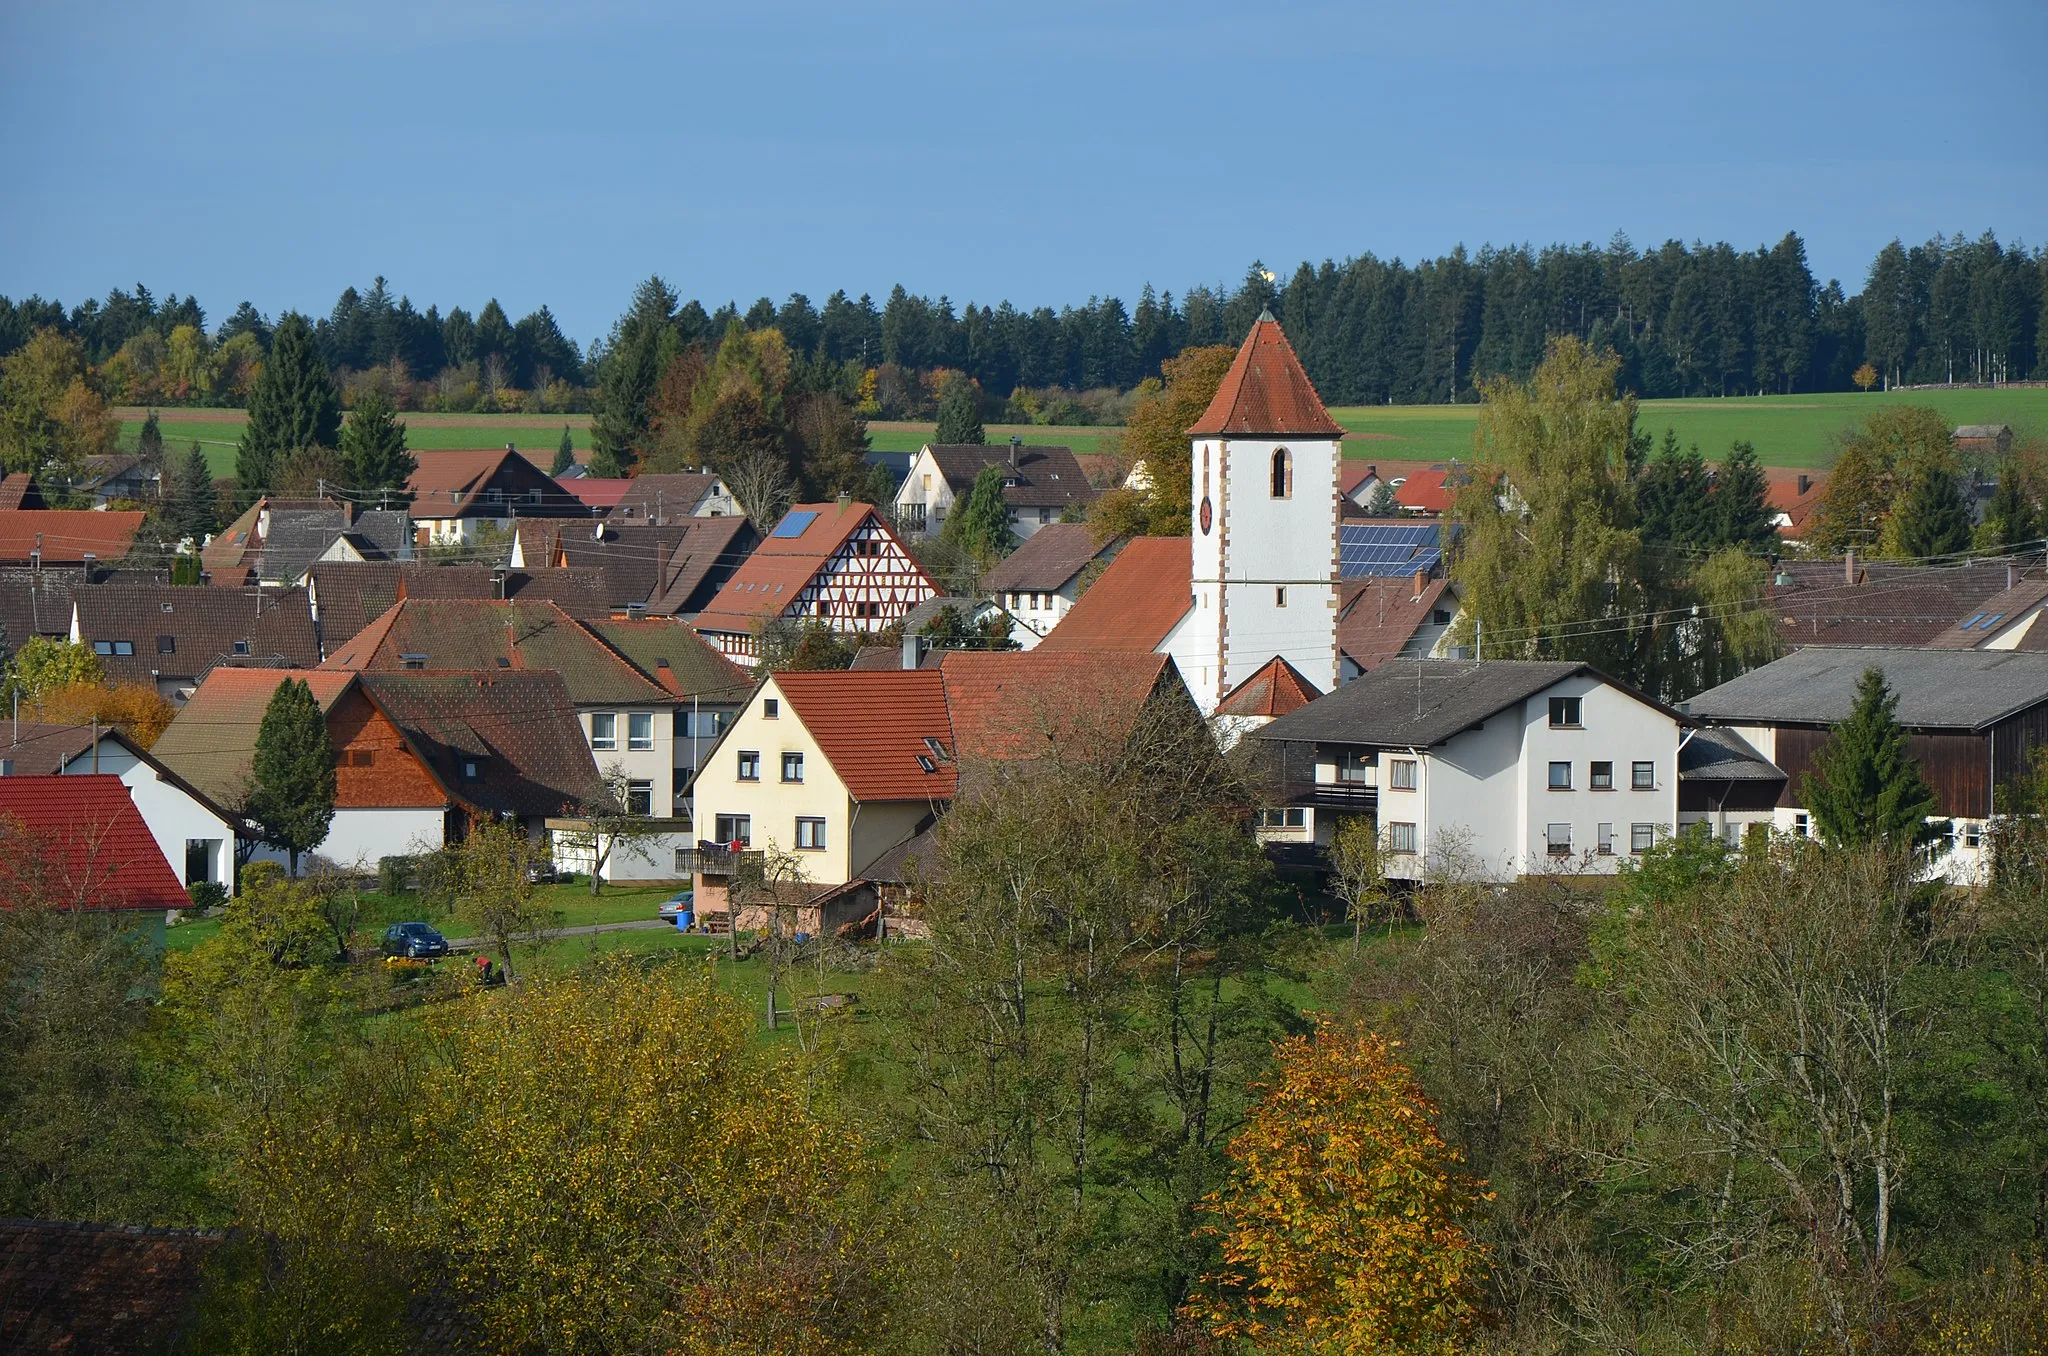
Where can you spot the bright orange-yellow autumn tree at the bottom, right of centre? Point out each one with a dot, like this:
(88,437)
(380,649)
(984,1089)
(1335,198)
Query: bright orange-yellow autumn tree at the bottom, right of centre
(1345,1228)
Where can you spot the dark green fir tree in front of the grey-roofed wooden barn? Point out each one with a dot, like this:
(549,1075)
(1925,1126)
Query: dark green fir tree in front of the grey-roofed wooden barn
(1865,788)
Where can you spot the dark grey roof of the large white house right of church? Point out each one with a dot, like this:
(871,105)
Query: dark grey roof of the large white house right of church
(1416,704)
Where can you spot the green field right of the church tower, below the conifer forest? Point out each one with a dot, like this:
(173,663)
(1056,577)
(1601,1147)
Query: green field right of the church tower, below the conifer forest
(1789,431)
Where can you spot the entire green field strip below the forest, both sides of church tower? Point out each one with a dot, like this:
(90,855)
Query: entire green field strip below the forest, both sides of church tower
(1789,431)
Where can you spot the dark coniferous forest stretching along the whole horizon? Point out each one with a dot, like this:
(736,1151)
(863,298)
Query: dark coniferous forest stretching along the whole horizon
(1684,321)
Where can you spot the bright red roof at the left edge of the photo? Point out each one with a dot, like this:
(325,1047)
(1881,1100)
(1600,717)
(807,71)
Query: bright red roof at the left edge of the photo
(93,849)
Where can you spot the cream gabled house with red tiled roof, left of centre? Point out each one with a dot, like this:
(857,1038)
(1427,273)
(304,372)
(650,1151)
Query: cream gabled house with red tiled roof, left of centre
(826,771)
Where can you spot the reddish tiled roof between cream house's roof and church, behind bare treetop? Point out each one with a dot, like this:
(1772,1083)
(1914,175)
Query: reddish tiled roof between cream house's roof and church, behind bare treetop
(1021,704)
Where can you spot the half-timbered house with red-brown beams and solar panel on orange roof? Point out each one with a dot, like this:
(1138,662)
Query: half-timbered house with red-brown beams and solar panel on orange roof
(839,564)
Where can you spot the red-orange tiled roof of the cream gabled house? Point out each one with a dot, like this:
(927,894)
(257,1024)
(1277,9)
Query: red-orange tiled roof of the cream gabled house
(873,726)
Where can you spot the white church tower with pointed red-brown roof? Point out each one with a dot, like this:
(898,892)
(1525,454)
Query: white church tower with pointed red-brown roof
(1265,554)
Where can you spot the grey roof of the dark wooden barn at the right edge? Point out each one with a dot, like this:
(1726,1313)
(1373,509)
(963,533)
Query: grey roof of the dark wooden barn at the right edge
(1938,689)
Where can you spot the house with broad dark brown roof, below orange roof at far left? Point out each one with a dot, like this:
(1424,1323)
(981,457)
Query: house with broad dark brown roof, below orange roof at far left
(171,638)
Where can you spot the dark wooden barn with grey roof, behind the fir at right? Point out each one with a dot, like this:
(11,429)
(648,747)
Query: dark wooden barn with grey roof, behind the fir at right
(1975,720)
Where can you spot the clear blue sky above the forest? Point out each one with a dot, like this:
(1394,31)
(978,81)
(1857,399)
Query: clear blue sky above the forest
(1052,153)
